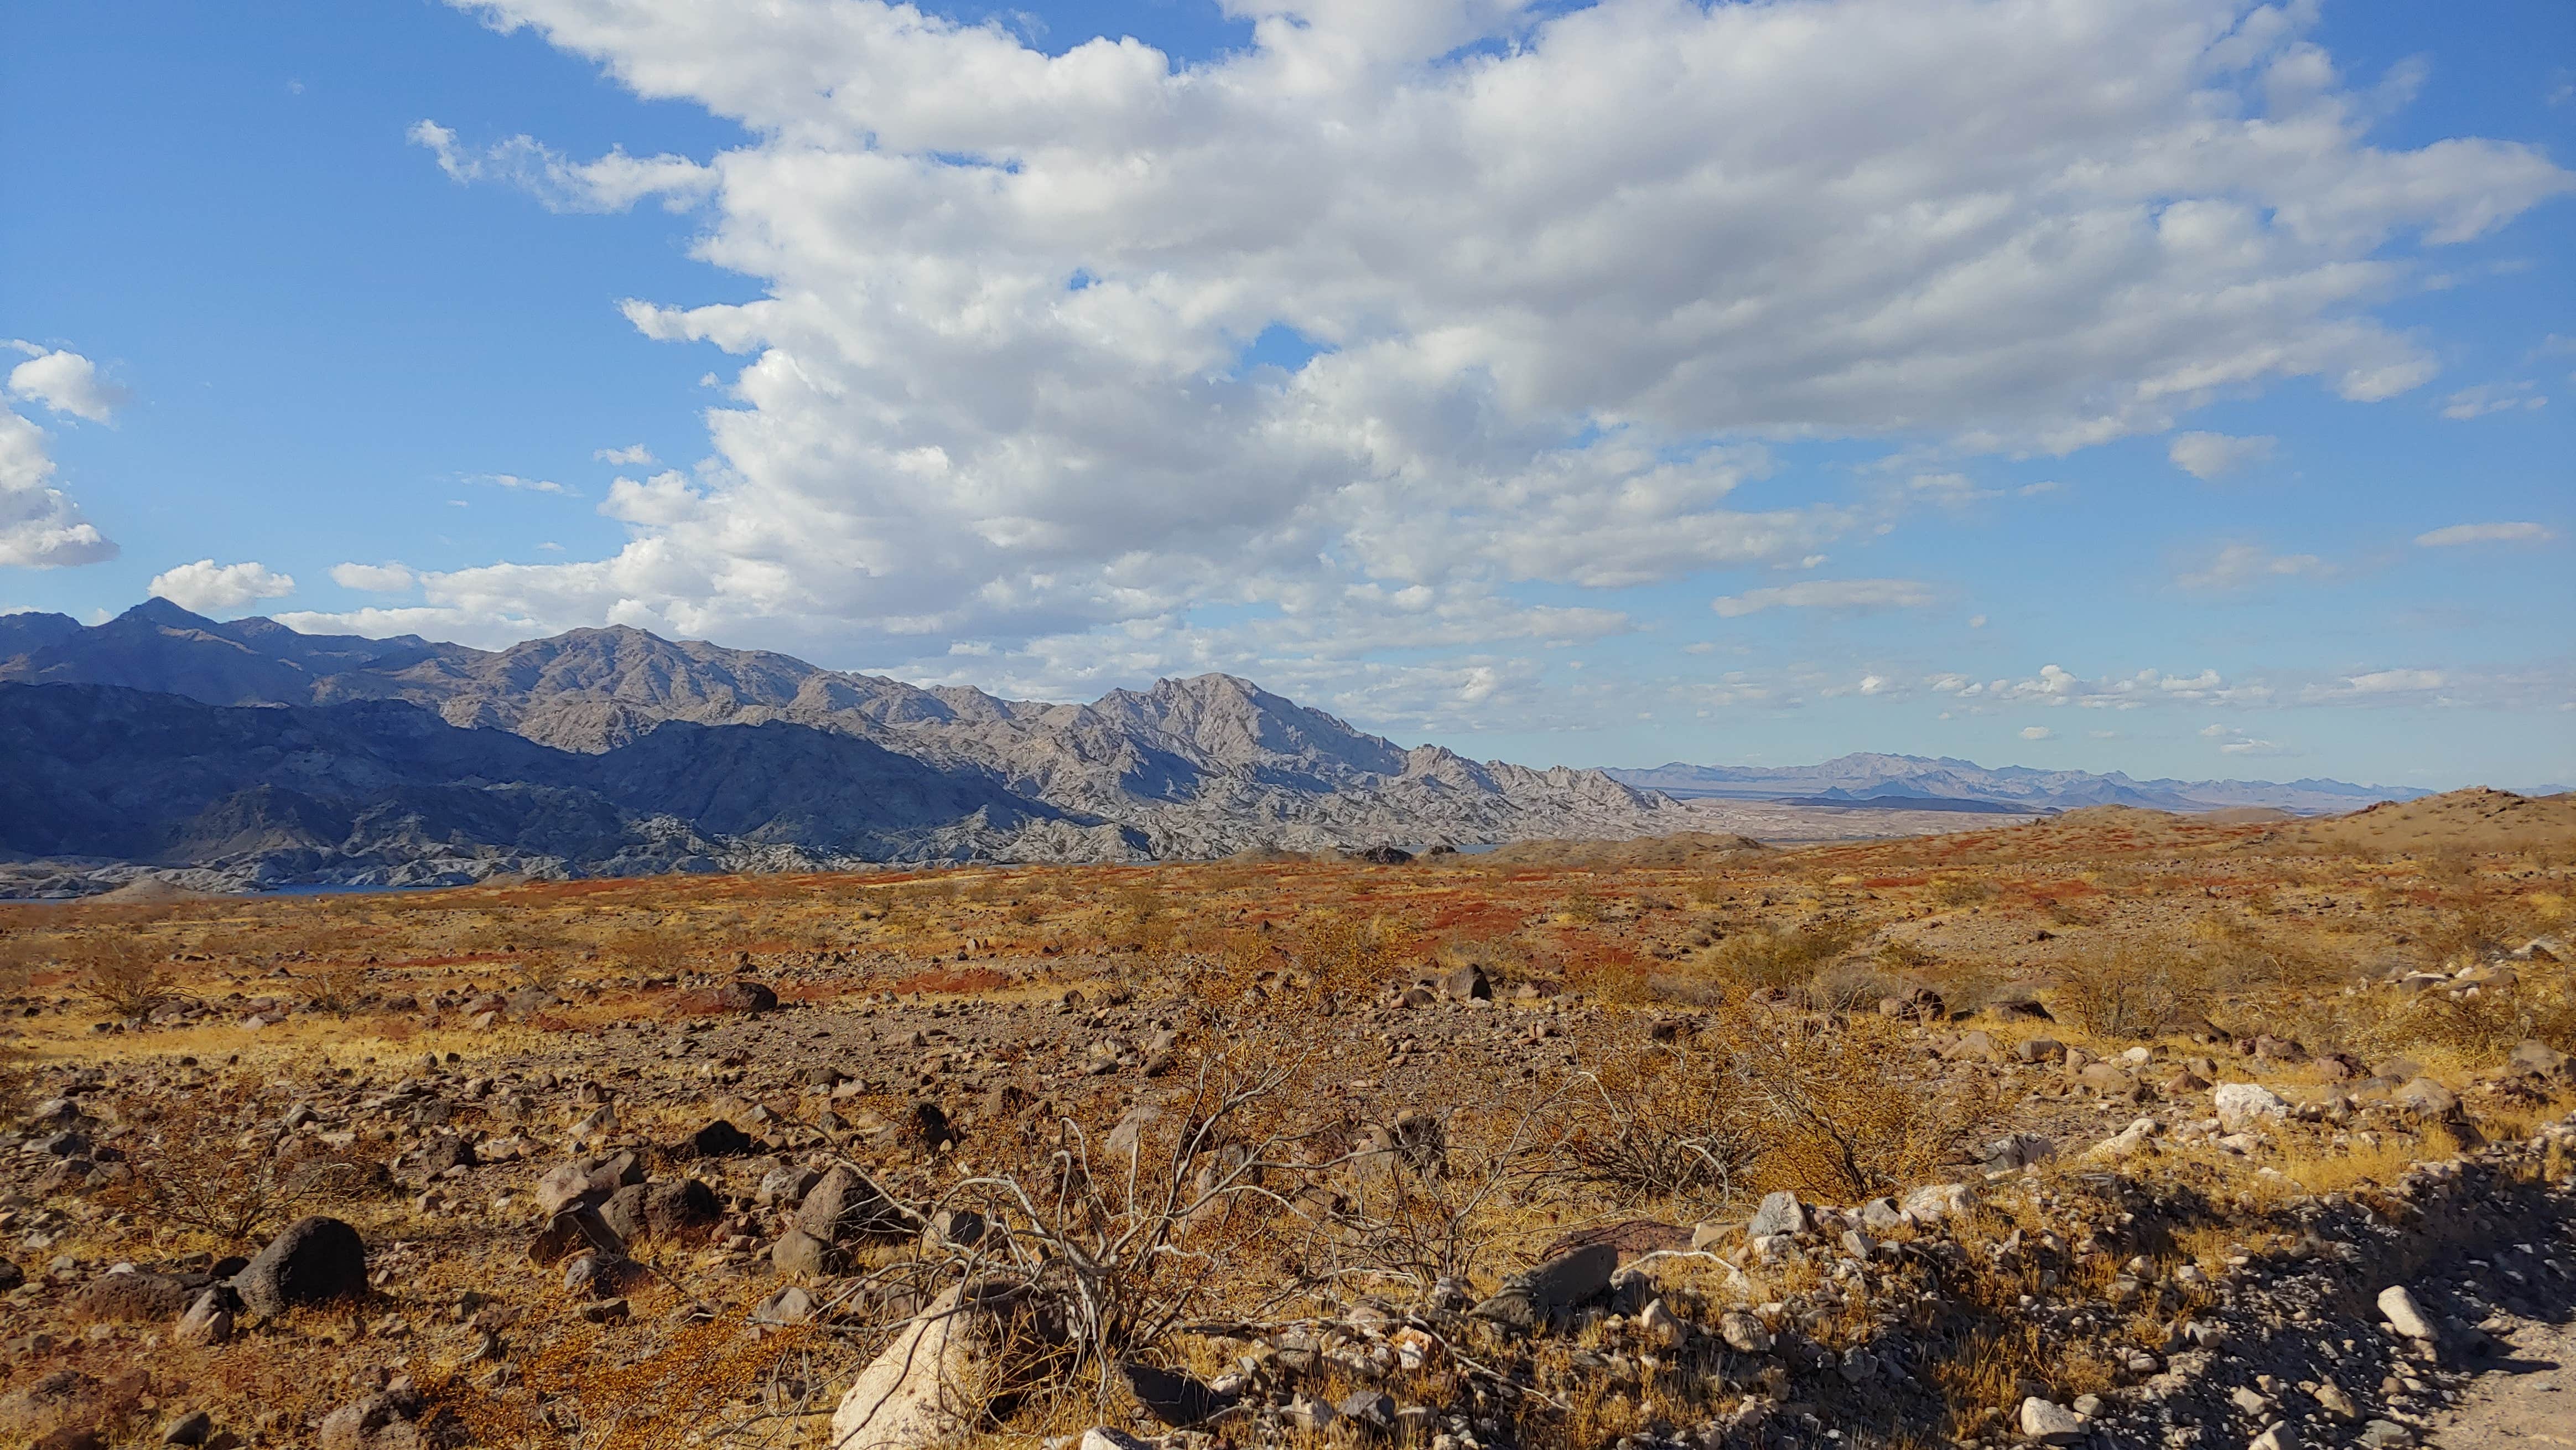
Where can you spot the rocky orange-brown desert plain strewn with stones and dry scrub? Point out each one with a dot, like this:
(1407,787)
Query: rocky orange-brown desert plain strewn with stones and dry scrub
(1312,1153)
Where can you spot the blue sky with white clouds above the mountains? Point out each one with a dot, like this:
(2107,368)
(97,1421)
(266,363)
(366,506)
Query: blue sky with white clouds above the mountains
(2175,388)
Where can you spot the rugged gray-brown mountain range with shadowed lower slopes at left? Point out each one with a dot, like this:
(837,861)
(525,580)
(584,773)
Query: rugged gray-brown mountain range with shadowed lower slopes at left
(591,753)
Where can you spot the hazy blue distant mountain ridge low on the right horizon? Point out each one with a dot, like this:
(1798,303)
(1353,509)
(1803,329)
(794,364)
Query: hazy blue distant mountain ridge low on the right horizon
(1959,784)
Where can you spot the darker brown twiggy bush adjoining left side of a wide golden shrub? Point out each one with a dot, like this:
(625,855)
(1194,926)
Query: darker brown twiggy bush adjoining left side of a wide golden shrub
(1658,1124)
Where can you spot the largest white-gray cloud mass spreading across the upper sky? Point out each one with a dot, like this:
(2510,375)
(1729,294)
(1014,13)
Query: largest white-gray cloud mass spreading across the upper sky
(1560,272)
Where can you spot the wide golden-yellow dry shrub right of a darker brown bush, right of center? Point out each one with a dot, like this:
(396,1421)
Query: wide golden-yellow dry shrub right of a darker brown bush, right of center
(1833,1111)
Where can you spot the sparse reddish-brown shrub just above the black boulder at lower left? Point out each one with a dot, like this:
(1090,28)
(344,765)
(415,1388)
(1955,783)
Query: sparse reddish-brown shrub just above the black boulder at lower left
(205,1163)
